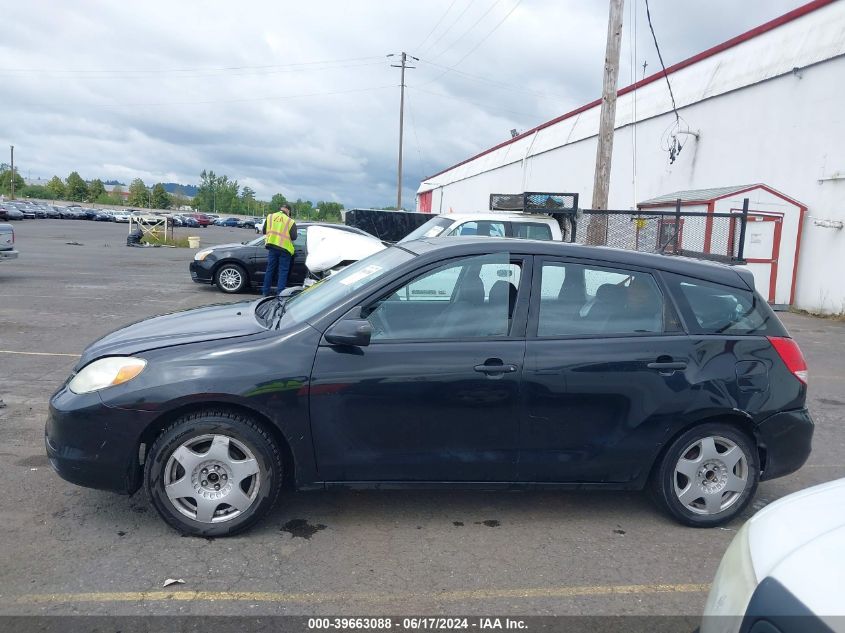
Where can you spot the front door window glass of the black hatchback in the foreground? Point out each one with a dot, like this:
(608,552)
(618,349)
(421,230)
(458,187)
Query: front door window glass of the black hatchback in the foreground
(472,297)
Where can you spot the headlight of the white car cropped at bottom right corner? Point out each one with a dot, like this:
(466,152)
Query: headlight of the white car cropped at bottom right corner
(732,588)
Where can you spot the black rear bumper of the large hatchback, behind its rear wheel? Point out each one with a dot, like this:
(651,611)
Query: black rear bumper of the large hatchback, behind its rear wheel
(786,438)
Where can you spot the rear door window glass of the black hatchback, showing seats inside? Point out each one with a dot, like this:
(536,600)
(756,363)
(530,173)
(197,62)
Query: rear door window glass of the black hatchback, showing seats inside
(592,301)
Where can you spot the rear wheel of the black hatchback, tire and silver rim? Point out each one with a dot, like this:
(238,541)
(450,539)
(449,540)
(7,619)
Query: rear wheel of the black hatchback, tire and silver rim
(720,483)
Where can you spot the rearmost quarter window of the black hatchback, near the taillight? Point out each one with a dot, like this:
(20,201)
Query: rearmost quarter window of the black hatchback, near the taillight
(711,308)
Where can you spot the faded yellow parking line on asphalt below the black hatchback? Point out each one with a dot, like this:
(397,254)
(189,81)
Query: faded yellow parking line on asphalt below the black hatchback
(317,597)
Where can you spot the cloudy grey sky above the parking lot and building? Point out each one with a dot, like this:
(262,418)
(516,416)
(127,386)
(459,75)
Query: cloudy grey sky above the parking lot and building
(300,98)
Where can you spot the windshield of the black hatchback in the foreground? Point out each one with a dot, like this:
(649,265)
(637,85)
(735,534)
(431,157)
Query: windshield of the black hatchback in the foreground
(332,290)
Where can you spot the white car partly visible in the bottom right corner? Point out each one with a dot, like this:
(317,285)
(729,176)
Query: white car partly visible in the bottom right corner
(784,572)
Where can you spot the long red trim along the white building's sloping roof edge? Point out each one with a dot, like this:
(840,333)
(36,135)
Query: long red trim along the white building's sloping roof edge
(739,39)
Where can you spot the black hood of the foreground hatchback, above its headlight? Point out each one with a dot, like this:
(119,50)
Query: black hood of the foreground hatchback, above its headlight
(188,326)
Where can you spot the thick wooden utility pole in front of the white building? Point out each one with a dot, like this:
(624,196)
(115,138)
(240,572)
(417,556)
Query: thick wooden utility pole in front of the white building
(597,229)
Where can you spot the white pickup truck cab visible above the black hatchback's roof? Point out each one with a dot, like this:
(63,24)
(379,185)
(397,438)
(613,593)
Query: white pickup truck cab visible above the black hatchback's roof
(490,224)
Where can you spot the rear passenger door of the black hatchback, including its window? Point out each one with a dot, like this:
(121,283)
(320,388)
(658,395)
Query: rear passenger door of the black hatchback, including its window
(605,374)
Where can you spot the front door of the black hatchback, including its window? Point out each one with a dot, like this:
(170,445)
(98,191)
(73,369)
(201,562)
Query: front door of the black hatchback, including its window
(435,396)
